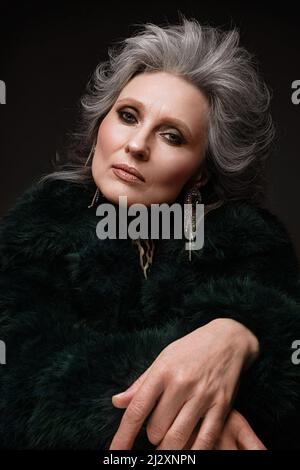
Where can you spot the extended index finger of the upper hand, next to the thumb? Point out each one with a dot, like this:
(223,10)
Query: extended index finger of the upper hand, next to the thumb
(136,413)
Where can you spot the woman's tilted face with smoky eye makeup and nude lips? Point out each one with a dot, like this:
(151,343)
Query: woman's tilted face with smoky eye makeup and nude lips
(157,125)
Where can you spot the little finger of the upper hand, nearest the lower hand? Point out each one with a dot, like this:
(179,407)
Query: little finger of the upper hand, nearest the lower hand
(210,429)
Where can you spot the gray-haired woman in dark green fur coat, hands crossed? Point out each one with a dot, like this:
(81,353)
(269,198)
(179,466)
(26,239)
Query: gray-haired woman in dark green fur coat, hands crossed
(204,342)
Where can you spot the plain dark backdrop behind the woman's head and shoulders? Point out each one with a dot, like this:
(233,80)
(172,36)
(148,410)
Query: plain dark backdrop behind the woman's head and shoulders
(48,51)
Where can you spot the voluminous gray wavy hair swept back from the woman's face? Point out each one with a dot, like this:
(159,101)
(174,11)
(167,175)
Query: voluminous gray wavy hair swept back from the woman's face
(240,127)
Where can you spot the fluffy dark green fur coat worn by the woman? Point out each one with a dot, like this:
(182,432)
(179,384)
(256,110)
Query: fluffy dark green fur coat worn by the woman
(81,322)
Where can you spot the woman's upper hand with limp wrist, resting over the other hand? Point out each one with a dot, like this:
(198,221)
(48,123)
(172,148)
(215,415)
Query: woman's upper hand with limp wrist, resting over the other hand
(193,378)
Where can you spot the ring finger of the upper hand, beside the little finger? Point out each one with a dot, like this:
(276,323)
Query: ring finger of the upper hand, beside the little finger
(183,426)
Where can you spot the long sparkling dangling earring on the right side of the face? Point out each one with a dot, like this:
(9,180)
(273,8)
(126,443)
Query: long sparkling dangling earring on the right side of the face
(191,198)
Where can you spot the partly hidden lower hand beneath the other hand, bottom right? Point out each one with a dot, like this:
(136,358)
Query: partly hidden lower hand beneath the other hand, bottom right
(237,434)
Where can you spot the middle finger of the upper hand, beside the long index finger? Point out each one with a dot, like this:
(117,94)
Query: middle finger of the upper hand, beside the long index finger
(168,408)
